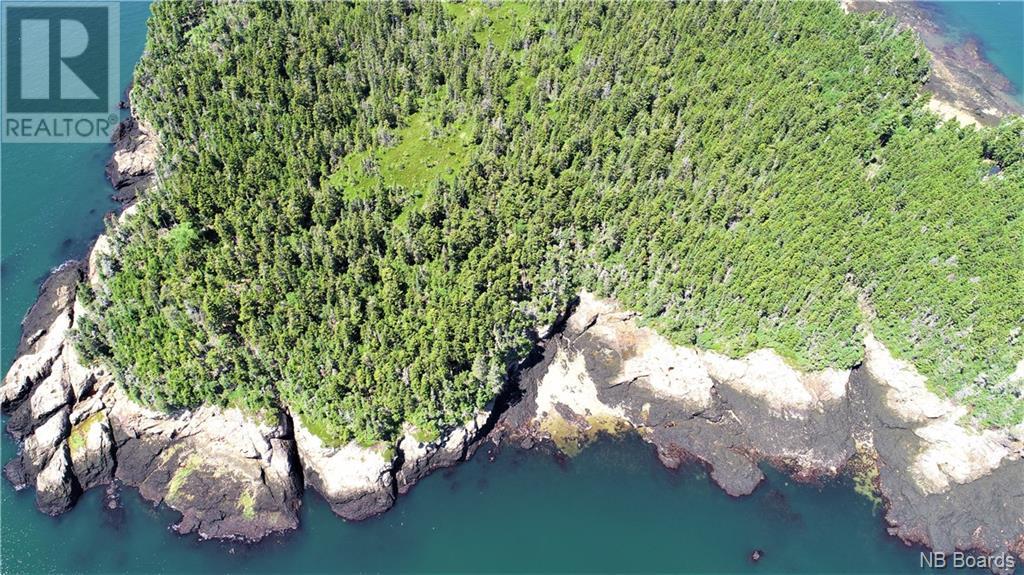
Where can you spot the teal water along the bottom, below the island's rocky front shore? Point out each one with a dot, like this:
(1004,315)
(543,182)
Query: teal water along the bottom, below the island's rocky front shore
(613,509)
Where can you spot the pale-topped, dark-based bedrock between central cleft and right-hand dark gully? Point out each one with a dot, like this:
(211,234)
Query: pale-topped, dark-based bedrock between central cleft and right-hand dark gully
(607,374)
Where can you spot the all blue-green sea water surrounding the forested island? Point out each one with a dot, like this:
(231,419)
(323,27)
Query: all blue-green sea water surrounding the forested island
(612,509)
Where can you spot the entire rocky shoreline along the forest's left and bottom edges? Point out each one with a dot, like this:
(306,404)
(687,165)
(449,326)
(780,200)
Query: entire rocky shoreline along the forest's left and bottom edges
(231,476)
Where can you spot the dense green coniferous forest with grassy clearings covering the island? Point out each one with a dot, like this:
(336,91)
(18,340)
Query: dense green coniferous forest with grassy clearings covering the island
(367,211)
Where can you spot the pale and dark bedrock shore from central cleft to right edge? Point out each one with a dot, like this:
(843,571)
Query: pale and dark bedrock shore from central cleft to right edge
(947,485)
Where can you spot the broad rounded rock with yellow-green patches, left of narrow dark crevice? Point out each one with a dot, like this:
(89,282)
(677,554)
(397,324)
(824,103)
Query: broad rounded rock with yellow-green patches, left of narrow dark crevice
(229,475)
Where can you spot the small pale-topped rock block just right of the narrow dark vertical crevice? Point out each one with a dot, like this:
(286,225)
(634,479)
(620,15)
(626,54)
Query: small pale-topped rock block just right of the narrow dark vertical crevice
(357,481)
